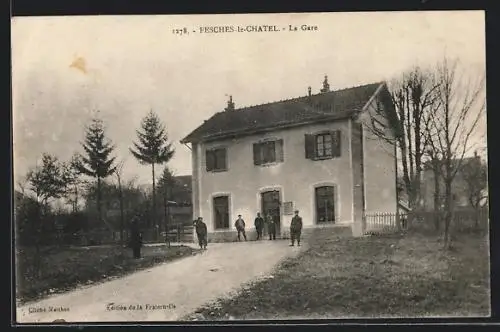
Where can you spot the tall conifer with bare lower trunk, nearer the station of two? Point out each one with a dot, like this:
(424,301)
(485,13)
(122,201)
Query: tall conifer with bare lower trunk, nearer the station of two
(152,148)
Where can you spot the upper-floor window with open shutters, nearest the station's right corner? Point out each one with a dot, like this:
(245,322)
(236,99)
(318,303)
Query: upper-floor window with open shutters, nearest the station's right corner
(323,145)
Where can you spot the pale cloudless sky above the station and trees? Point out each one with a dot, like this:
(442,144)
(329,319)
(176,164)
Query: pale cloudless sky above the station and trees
(67,68)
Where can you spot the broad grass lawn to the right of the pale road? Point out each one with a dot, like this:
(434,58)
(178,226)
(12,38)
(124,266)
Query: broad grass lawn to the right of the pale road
(376,276)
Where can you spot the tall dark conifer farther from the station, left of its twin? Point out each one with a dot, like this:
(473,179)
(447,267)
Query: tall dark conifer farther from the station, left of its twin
(98,162)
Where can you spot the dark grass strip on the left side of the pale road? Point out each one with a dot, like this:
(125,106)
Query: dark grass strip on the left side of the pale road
(64,269)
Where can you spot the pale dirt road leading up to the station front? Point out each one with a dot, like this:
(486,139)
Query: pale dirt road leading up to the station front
(166,292)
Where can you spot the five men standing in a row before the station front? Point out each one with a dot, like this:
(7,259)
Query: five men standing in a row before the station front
(259,223)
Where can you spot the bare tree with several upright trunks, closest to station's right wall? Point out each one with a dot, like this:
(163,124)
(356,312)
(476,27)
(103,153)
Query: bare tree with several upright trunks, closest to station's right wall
(413,96)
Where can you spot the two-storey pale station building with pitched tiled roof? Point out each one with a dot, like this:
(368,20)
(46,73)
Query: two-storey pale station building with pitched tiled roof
(314,153)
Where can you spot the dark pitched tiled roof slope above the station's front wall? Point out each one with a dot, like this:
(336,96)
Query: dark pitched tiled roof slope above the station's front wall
(330,106)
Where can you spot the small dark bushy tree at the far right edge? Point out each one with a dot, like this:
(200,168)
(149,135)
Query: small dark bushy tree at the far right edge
(474,173)
